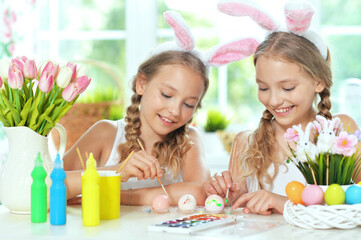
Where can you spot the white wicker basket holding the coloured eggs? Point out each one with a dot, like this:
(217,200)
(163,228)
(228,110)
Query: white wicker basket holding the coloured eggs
(323,217)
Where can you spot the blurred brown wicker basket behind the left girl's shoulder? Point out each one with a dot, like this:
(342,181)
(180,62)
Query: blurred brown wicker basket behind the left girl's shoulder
(79,119)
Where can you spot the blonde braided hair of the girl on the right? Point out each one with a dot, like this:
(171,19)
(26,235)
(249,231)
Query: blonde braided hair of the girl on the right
(261,152)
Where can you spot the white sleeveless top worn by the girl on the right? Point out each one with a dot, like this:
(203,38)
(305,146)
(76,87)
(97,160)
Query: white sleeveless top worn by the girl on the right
(283,177)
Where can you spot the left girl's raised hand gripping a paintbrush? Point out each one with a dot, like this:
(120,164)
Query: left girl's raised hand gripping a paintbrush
(141,165)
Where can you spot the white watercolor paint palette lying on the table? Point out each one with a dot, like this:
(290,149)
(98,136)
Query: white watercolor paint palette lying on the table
(193,223)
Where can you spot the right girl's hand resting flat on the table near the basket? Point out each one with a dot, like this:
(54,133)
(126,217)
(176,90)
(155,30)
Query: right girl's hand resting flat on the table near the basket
(261,202)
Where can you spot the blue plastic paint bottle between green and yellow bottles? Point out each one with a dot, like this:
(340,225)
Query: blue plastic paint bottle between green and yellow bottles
(58,193)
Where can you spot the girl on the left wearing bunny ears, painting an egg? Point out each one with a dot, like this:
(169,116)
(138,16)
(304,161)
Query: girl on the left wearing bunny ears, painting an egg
(168,89)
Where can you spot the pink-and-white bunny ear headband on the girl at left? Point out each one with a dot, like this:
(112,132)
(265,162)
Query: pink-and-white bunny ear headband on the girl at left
(218,55)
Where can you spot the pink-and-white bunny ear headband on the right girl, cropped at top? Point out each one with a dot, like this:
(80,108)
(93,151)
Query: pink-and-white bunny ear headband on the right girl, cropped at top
(298,15)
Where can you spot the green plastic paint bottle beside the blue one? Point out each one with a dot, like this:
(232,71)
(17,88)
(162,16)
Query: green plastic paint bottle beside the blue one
(38,192)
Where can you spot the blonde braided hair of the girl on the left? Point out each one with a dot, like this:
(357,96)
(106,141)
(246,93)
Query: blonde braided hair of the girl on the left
(169,152)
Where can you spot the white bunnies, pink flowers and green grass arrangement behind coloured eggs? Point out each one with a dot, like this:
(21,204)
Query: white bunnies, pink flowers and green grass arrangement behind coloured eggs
(330,156)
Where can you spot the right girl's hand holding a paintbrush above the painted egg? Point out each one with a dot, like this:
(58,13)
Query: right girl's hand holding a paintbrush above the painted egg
(219,184)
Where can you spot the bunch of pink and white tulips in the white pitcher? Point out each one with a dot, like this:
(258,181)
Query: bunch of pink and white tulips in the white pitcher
(38,97)
